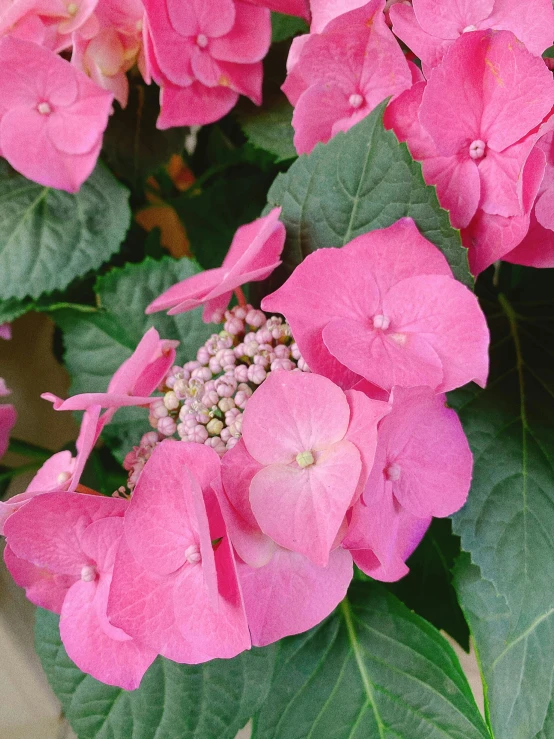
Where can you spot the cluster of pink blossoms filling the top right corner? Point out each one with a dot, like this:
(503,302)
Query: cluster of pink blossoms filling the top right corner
(478,116)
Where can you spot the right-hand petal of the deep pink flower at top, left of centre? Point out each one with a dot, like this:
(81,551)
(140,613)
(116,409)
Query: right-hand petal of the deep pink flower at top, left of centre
(249,39)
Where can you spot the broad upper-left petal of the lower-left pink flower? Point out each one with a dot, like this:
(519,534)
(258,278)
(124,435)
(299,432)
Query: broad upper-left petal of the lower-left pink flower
(47,531)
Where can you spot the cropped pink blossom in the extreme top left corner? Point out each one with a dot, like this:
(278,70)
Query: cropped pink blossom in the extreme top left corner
(49,23)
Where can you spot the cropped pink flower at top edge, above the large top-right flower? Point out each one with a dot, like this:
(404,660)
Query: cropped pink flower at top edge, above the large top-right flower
(430,27)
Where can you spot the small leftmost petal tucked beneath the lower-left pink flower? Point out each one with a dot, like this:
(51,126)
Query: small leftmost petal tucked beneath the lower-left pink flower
(42,587)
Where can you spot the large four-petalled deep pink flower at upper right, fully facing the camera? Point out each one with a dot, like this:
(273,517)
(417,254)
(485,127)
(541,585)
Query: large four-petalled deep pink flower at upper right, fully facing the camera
(474,127)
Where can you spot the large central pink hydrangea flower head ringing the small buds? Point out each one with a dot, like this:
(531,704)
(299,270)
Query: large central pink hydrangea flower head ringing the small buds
(346,463)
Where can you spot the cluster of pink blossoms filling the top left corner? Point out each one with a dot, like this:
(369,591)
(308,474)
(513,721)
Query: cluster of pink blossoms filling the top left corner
(53,112)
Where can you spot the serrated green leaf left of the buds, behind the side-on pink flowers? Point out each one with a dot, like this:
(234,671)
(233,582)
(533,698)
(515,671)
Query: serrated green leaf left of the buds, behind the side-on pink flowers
(96,344)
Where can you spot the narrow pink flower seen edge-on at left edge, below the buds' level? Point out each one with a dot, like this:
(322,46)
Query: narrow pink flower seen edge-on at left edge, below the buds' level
(61,472)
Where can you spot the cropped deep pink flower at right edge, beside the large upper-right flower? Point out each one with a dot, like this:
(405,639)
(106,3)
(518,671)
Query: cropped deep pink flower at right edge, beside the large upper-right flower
(537,247)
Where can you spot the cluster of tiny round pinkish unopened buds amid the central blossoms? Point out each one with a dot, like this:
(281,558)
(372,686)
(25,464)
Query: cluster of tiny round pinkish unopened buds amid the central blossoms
(204,400)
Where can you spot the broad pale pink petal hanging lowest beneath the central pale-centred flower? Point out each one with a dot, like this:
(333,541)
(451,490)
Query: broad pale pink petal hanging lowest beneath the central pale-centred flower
(291,595)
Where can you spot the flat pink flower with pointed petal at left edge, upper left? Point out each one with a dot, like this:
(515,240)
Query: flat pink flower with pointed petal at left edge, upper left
(52,116)
